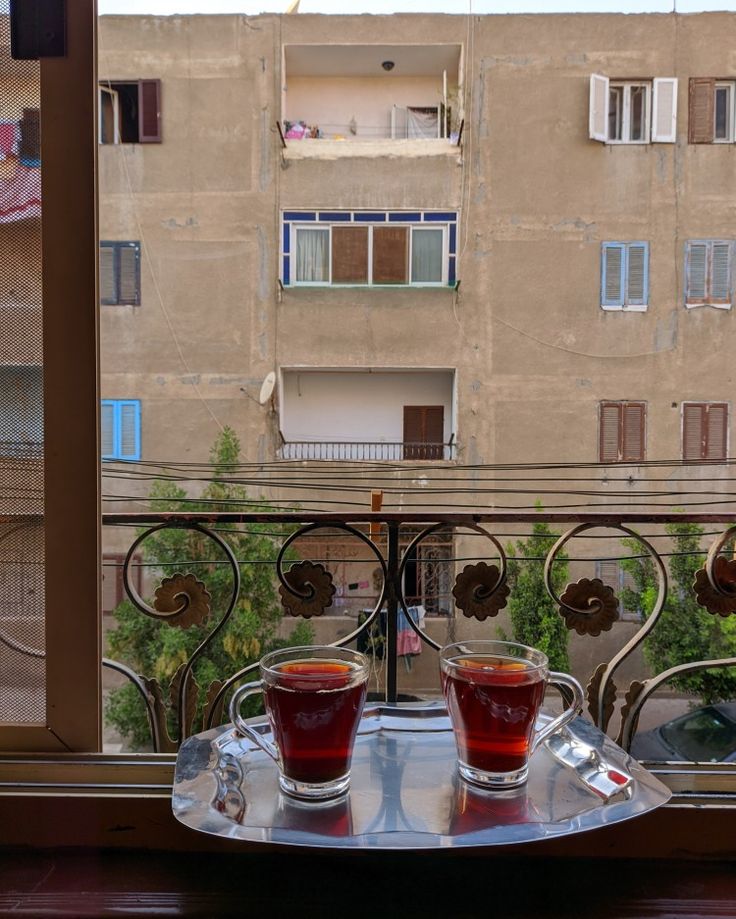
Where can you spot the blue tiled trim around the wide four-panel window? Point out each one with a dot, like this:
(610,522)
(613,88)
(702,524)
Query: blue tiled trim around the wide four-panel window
(325,218)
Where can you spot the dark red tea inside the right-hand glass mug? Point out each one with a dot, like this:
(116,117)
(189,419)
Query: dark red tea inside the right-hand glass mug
(493,702)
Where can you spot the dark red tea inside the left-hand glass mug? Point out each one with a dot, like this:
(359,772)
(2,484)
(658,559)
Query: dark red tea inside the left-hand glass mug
(314,709)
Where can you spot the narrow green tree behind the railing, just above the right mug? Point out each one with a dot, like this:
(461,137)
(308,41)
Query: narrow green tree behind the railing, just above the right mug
(534,617)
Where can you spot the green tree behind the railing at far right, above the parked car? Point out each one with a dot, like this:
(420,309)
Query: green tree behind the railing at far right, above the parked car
(685,632)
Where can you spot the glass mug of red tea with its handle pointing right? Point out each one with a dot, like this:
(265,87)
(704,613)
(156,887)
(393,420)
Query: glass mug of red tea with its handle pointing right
(493,691)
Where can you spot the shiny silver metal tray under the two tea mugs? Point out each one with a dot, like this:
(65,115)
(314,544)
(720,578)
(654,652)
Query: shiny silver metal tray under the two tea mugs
(405,791)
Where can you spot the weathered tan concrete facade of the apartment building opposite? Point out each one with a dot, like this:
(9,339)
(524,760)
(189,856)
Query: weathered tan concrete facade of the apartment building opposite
(530,351)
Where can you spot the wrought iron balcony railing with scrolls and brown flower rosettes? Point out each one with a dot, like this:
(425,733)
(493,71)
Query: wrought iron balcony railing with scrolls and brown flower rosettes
(480,567)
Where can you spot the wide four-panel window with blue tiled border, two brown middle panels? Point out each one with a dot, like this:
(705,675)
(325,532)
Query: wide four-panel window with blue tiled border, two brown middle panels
(369,248)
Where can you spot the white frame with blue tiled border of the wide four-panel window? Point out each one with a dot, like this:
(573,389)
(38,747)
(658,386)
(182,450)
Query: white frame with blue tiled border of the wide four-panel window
(294,223)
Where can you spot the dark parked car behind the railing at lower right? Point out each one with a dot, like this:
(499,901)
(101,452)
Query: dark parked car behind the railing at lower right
(704,735)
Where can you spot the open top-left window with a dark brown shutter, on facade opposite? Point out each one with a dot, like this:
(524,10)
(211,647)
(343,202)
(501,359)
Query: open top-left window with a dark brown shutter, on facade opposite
(130,112)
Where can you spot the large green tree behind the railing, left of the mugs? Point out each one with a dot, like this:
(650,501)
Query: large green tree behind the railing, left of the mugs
(156,649)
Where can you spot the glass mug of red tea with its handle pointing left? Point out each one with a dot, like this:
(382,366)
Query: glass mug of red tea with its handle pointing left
(314,698)
